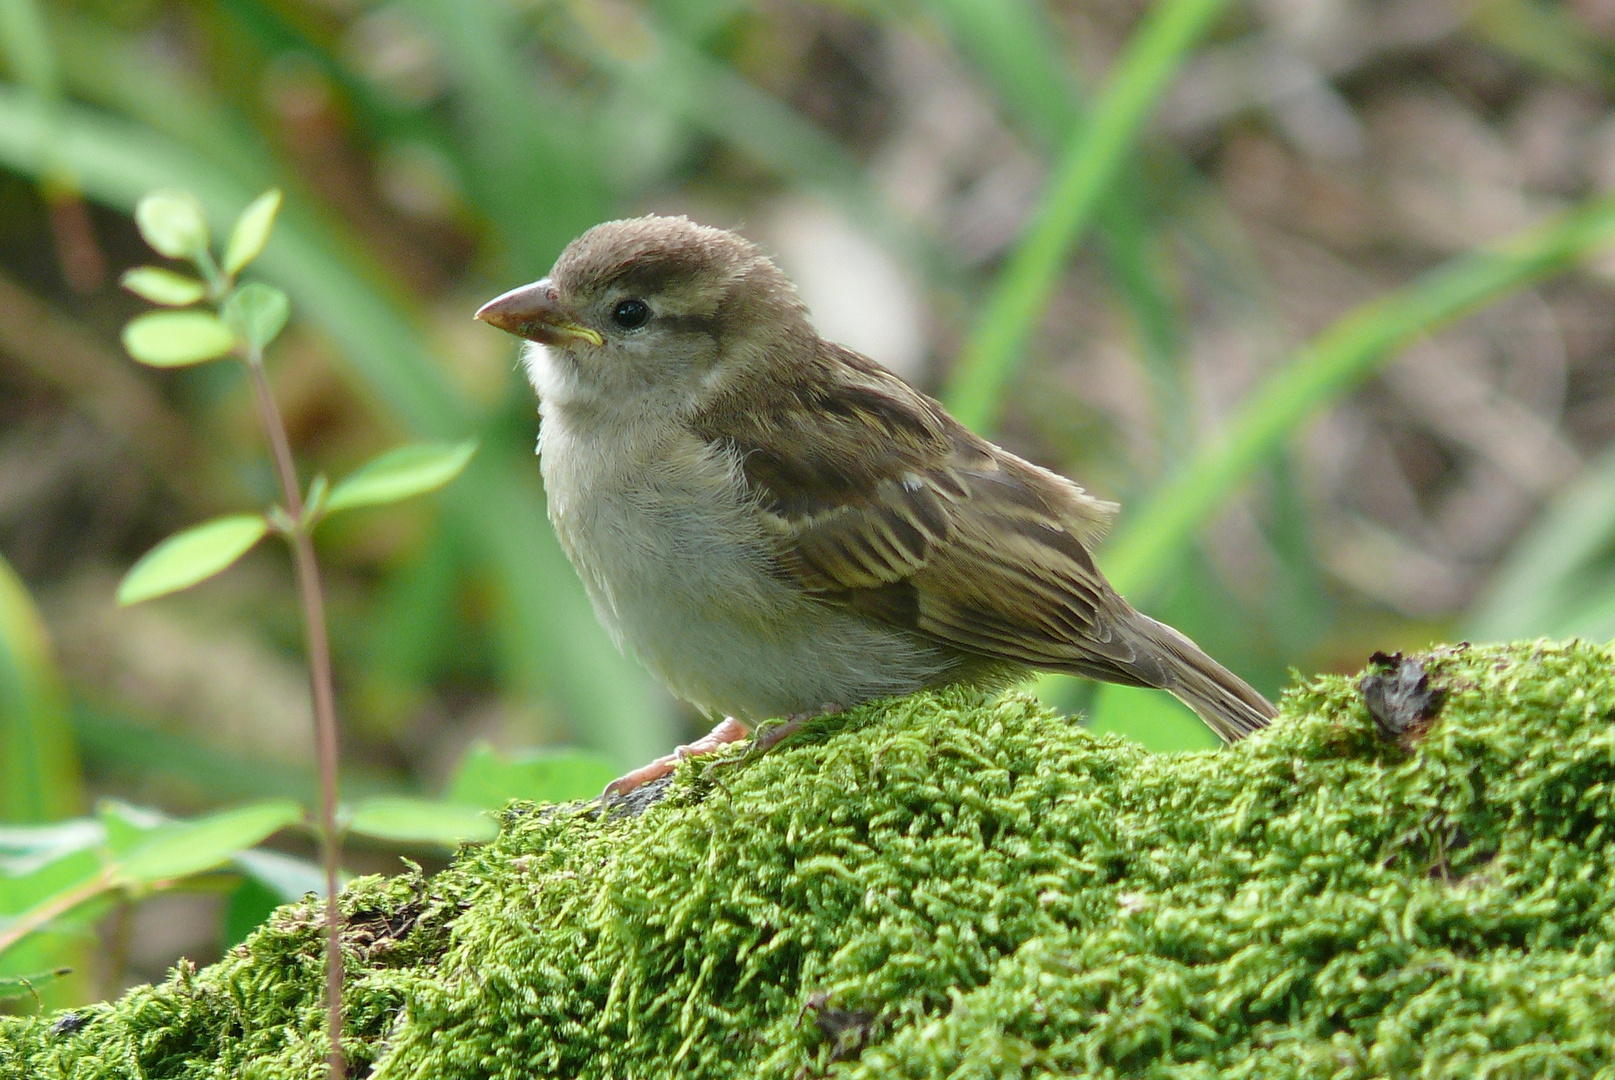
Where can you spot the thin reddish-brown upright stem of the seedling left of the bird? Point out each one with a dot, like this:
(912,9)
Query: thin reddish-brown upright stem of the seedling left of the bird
(308,571)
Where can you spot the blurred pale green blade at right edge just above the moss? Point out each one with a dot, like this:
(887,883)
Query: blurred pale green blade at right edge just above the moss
(1542,587)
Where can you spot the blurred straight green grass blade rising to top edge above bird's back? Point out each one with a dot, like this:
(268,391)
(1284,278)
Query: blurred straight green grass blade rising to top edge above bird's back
(1081,178)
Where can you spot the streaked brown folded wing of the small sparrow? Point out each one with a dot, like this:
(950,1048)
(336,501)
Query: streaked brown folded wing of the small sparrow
(881,501)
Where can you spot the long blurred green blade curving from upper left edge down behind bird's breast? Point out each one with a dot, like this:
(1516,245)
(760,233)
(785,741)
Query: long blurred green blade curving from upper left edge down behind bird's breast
(553,638)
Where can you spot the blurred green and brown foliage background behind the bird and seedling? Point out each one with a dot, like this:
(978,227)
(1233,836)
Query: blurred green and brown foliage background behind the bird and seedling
(1315,288)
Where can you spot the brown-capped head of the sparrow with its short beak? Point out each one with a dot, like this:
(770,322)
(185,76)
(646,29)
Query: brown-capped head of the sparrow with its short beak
(652,311)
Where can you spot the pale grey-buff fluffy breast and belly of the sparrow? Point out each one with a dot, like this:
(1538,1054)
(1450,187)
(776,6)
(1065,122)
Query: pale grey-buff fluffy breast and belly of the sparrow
(681,571)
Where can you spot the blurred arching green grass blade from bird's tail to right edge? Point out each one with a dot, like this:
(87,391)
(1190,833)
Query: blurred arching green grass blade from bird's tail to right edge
(1330,367)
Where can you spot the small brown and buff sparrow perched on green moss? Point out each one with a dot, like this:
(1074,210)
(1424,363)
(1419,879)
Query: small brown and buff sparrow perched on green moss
(779,527)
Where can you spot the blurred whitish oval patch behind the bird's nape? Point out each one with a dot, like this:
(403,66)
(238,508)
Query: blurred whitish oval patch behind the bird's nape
(858,295)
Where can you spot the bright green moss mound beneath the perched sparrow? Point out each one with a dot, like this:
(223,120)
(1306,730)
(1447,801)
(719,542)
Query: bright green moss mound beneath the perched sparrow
(946,887)
